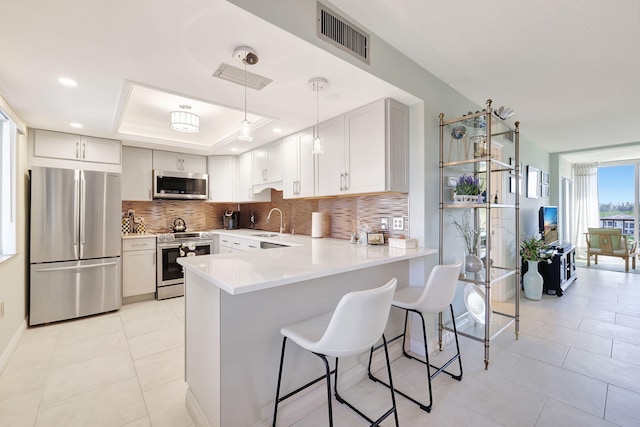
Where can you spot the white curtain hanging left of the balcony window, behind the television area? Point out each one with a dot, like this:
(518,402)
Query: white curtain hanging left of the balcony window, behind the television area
(587,206)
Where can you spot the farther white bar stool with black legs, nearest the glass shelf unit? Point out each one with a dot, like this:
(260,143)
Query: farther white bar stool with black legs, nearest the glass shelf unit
(437,294)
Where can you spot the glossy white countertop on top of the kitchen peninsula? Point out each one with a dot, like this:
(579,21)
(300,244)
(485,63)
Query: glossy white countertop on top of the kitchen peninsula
(307,258)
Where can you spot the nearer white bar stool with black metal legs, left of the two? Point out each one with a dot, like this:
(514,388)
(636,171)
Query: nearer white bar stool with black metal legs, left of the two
(355,326)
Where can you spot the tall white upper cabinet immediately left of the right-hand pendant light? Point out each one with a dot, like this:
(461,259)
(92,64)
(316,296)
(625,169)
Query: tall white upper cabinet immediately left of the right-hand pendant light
(298,168)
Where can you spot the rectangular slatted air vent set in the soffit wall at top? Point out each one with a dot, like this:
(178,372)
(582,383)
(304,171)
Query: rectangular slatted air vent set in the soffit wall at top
(341,33)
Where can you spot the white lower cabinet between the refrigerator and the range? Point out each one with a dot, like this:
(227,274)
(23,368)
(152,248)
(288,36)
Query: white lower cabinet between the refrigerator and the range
(138,266)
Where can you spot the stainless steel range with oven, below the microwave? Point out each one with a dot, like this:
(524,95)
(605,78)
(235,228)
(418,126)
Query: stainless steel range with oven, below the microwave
(170,277)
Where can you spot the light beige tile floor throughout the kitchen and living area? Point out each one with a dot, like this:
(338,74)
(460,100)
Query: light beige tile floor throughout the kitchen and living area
(577,363)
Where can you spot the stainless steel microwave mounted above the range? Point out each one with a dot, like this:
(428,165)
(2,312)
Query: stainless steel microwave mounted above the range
(180,185)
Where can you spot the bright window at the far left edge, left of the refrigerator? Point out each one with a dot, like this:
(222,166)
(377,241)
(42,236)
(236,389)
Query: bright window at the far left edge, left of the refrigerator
(8,176)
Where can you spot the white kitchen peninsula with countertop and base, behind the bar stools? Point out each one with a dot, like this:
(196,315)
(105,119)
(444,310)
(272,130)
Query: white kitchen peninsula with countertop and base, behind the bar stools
(236,304)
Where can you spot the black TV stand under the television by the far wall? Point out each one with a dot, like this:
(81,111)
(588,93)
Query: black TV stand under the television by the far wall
(561,272)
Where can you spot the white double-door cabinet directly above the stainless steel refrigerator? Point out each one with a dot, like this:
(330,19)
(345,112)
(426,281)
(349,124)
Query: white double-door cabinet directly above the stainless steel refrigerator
(49,148)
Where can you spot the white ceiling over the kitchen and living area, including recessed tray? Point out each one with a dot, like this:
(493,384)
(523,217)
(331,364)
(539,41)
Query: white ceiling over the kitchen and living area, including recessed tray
(570,70)
